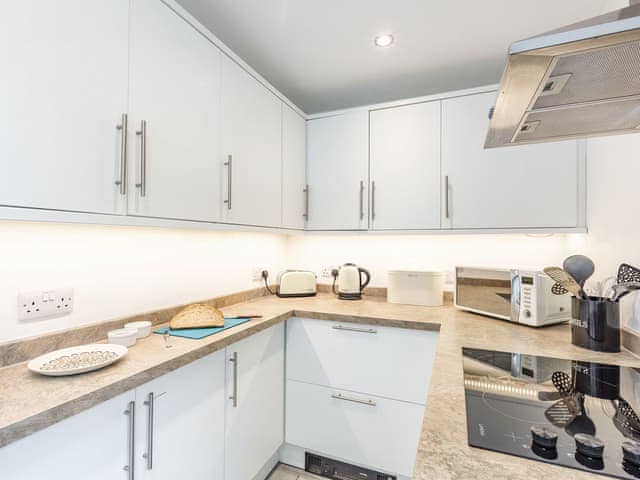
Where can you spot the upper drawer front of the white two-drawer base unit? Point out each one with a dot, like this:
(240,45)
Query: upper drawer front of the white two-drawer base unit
(383,361)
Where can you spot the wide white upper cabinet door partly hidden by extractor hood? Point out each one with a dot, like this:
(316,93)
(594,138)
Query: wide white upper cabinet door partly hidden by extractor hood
(529,186)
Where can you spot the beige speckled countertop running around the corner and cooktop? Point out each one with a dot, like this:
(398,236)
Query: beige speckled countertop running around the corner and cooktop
(29,402)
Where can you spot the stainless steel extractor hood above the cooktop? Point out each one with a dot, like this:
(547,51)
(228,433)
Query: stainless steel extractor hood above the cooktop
(579,81)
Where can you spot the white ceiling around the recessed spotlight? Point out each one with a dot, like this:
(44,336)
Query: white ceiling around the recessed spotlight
(320,53)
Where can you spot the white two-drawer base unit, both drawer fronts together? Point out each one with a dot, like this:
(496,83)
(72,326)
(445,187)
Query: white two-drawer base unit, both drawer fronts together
(355,390)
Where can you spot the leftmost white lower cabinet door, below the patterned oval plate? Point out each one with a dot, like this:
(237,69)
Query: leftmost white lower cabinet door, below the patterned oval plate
(92,445)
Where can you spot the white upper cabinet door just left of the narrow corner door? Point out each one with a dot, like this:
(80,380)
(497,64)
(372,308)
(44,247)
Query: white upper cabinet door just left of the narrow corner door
(252,149)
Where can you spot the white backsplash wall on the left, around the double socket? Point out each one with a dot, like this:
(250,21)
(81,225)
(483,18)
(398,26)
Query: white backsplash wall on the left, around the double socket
(120,271)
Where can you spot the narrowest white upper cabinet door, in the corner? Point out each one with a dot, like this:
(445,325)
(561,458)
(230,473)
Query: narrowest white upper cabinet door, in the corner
(294,151)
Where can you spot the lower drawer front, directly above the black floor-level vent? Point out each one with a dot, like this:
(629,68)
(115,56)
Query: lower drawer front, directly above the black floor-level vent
(379,433)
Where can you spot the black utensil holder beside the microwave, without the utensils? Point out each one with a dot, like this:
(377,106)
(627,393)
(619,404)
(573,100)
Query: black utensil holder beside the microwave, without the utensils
(595,324)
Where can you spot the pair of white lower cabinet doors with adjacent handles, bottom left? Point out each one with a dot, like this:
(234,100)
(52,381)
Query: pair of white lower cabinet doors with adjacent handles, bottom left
(180,434)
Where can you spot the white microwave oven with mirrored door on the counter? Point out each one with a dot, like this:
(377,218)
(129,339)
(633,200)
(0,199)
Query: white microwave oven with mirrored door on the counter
(520,296)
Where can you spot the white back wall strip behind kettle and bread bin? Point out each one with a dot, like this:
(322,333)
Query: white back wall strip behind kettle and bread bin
(381,253)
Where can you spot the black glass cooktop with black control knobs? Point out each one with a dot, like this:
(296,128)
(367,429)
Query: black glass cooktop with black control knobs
(576,414)
